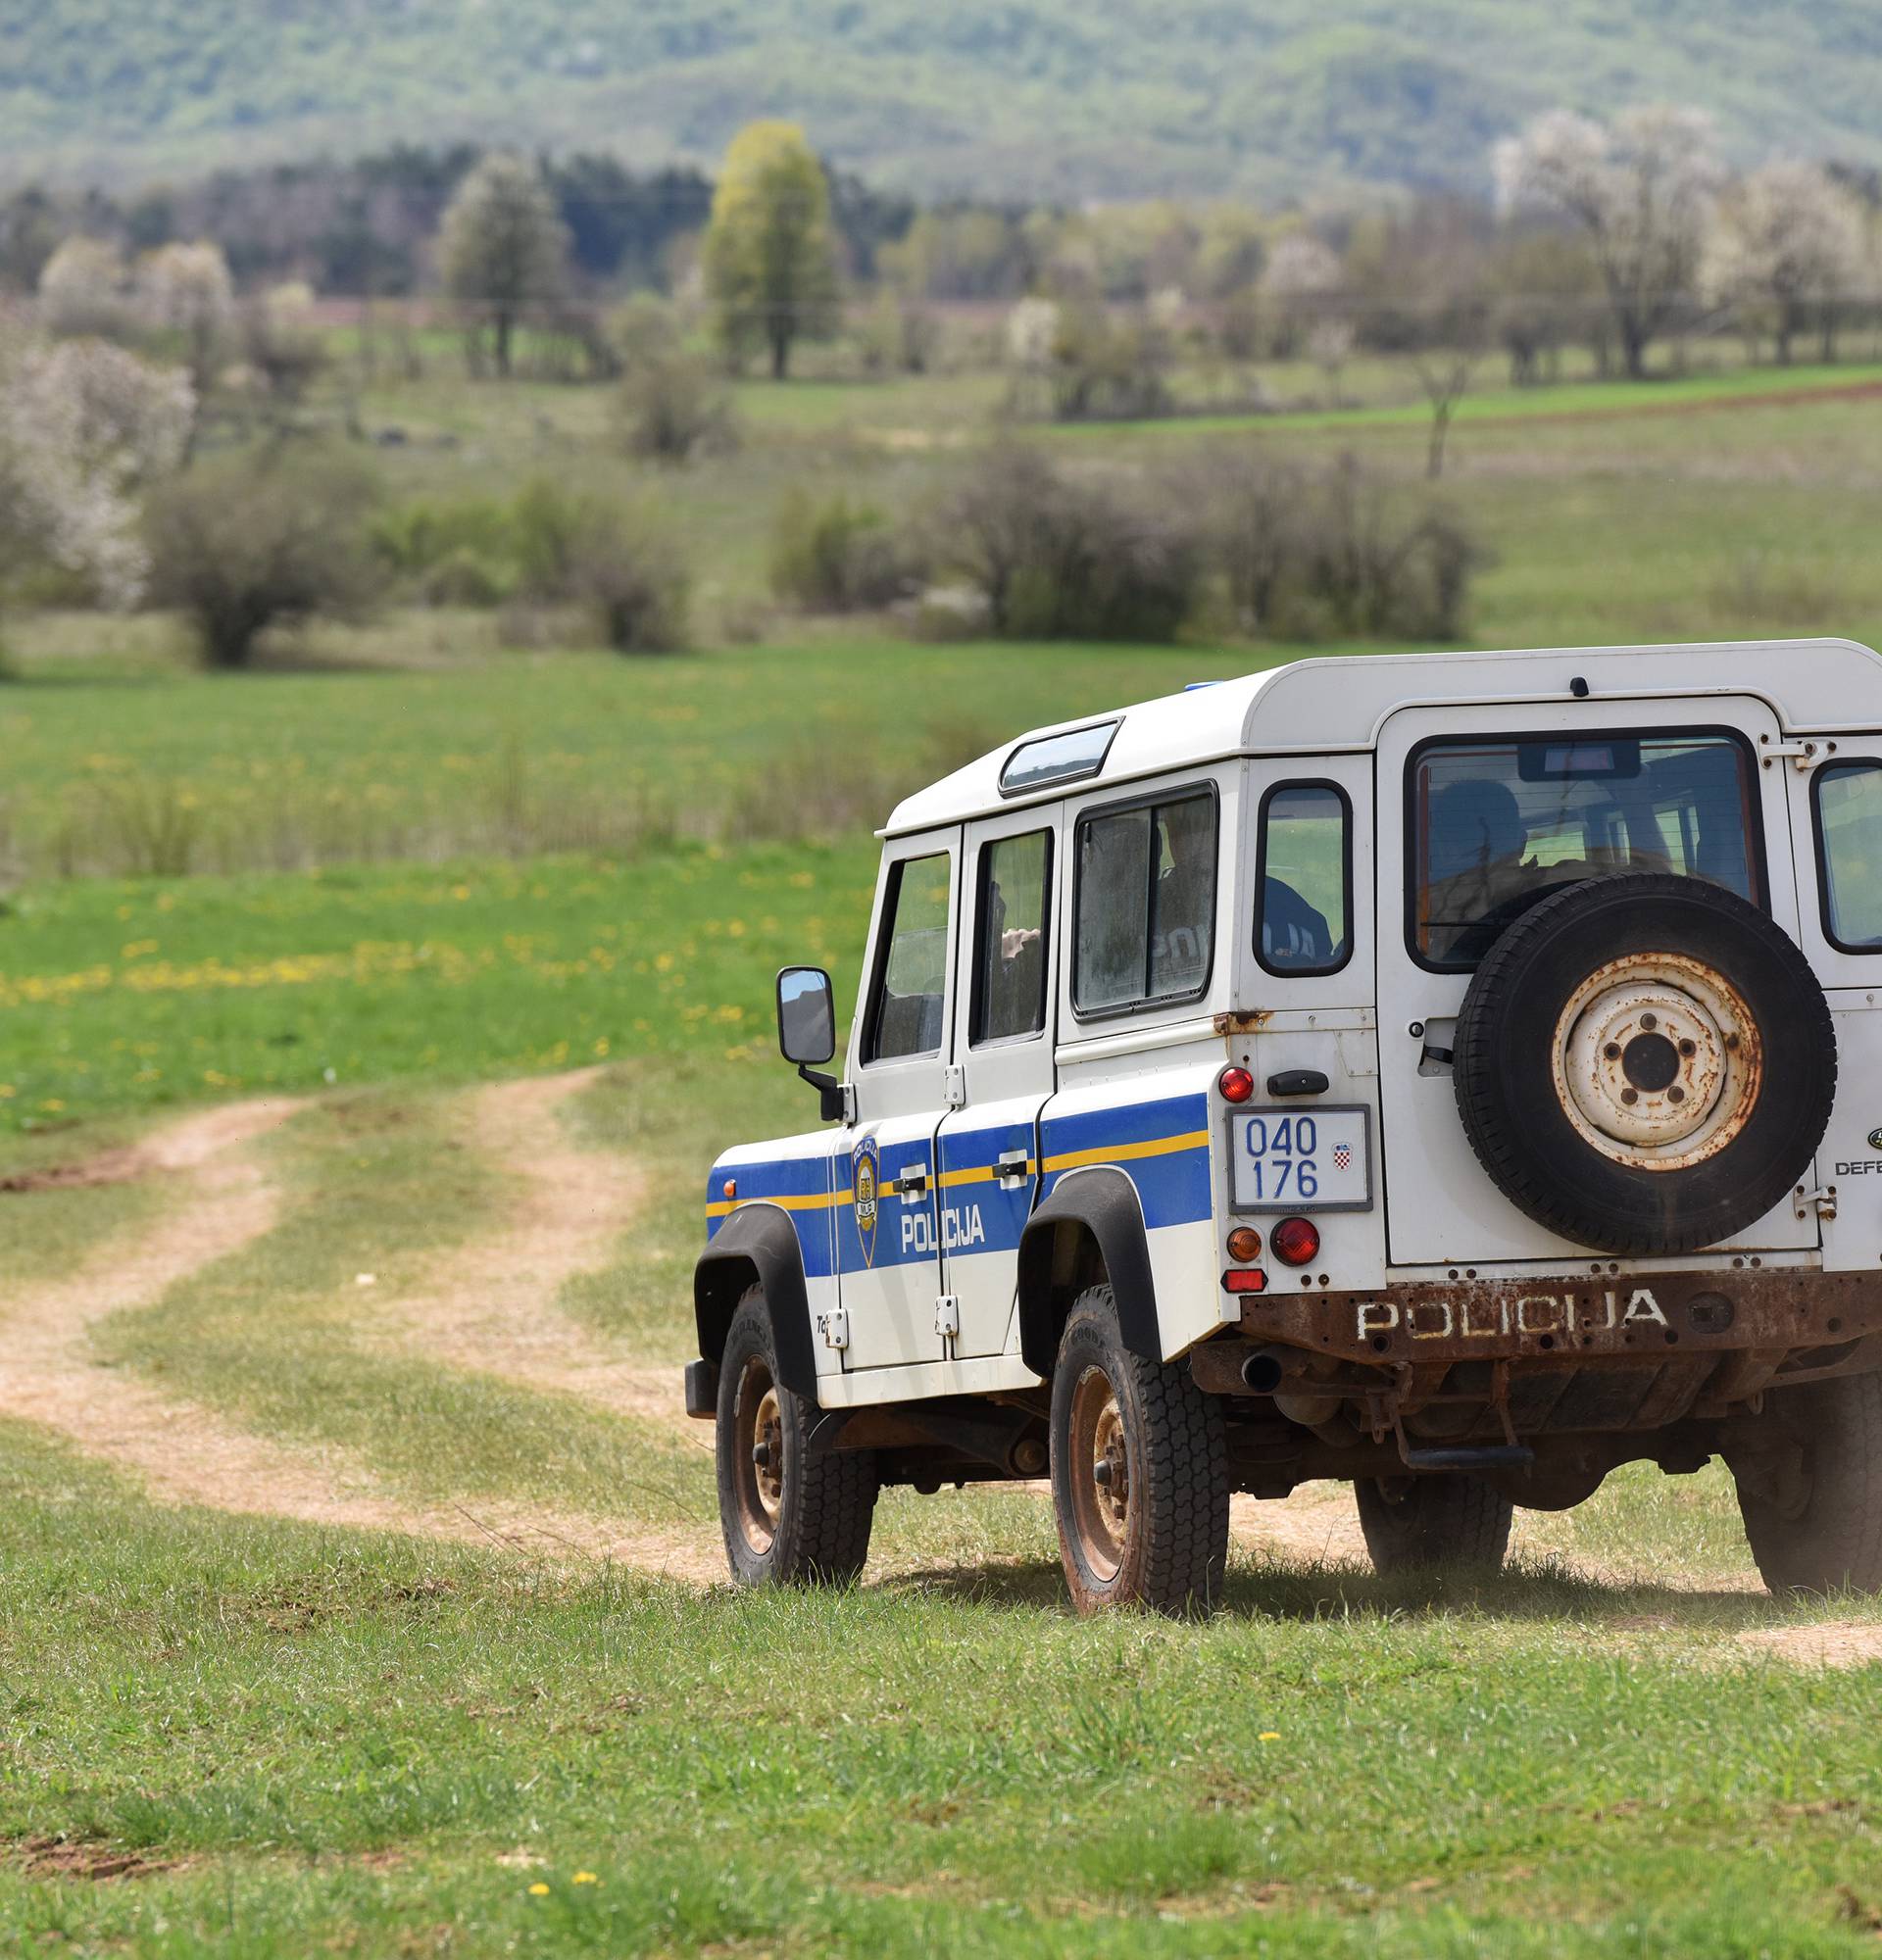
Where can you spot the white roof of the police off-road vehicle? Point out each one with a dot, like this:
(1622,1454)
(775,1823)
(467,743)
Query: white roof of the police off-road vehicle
(1338,705)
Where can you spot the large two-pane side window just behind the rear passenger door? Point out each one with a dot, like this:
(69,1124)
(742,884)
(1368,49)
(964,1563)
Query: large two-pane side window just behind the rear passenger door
(1146,905)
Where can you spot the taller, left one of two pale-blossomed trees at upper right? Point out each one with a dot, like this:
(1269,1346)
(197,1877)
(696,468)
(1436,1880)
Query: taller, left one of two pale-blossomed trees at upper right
(1642,189)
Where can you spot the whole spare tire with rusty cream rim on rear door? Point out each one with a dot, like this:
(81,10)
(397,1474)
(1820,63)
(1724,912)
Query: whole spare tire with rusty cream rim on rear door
(1646,1063)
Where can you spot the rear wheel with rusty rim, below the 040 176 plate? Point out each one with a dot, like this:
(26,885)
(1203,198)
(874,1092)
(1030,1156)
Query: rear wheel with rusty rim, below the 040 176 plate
(1140,1473)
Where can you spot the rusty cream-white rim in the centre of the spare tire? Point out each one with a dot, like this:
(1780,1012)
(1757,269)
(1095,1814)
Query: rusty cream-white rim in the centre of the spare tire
(1658,1061)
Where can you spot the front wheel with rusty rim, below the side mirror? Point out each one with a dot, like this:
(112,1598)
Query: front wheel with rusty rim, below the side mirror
(789,1518)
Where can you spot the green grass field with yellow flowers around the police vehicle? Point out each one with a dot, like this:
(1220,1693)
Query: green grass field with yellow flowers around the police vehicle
(403,863)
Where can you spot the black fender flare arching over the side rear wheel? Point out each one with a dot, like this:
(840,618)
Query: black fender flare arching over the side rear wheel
(1105,1206)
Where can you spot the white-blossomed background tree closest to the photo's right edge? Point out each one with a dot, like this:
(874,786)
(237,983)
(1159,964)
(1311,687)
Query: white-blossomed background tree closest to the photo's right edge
(1789,248)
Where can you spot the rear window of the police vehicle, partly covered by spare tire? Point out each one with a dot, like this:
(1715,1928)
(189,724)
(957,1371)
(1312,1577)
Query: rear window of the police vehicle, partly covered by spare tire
(1501,824)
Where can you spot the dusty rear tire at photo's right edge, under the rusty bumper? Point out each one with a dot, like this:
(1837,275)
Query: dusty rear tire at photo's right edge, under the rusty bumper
(1814,1516)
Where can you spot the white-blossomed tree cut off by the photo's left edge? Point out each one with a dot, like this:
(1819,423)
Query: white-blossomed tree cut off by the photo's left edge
(85,428)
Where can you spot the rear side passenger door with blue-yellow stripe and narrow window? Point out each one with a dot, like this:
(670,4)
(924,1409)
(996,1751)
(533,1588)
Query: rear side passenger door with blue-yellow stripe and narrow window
(989,1146)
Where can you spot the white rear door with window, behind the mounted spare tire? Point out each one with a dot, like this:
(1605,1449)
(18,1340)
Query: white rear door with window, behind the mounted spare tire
(1597,787)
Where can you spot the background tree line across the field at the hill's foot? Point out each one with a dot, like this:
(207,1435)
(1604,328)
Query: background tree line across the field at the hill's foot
(1603,234)
